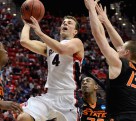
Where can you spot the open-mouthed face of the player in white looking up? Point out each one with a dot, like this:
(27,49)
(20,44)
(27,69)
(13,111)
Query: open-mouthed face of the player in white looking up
(68,28)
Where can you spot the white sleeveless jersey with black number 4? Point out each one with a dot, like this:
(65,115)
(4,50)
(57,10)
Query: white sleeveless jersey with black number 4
(61,70)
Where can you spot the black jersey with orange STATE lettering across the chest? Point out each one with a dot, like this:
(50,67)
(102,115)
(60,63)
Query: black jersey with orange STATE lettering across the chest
(92,114)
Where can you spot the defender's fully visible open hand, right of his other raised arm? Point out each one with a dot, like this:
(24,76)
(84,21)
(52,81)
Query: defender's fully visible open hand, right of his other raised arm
(102,13)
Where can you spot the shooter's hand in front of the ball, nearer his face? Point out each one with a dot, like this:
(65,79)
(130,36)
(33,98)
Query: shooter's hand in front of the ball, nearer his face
(35,25)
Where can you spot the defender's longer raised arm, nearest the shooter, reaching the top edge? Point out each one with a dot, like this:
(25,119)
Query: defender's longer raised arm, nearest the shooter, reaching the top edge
(97,31)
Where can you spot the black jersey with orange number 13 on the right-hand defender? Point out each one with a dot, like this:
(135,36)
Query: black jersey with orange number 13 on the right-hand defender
(121,92)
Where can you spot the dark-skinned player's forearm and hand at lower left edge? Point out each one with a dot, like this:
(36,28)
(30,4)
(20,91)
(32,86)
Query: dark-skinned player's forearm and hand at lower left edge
(9,105)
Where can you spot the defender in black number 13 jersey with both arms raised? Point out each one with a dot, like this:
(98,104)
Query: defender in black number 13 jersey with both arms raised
(121,86)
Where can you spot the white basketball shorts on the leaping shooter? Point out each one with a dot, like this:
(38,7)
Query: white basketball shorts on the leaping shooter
(52,105)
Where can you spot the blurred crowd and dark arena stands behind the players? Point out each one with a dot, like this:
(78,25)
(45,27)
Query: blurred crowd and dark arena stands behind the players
(26,73)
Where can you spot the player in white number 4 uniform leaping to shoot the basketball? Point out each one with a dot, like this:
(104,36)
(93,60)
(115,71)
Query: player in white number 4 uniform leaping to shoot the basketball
(62,57)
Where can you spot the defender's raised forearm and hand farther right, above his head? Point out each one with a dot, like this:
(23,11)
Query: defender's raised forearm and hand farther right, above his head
(114,36)
